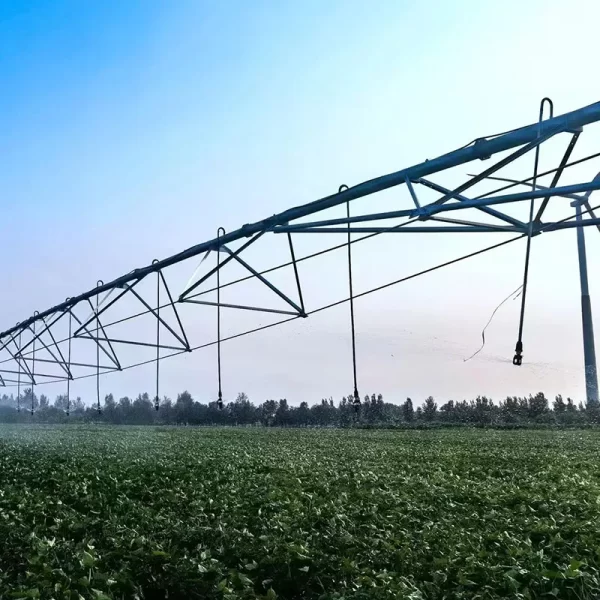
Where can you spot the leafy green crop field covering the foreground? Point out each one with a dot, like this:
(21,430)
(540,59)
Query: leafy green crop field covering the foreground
(101,512)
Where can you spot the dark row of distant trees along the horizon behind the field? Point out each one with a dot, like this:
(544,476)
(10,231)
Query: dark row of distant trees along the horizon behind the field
(372,412)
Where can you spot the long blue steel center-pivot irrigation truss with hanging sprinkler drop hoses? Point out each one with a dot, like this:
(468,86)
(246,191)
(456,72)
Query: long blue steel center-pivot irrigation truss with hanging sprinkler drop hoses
(74,340)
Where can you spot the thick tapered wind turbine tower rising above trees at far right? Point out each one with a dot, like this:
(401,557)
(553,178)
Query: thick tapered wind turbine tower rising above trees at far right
(589,350)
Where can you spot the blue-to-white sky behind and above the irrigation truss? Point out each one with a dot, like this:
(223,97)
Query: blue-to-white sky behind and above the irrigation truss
(130,131)
